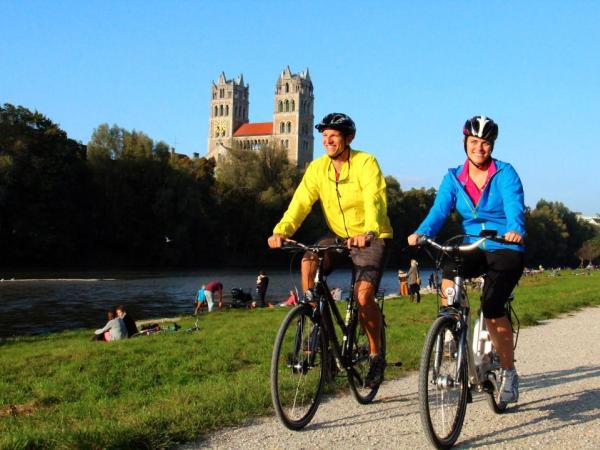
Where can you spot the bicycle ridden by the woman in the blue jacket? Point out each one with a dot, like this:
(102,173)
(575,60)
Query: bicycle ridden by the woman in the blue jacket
(455,361)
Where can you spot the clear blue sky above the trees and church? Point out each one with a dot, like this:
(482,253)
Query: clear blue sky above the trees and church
(409,73)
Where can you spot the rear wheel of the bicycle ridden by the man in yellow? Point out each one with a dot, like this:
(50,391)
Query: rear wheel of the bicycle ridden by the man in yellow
(360,351)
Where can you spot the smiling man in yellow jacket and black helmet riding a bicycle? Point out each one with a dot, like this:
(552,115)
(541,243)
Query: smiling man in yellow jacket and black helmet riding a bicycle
(352,192)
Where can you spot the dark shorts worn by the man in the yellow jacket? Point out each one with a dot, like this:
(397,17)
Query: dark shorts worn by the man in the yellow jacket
(368,262)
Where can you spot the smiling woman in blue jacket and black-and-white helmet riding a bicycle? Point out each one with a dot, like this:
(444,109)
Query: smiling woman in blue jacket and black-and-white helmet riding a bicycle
(488,195)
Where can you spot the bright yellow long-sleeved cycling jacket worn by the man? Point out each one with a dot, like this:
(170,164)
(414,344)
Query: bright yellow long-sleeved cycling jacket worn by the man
(357,203)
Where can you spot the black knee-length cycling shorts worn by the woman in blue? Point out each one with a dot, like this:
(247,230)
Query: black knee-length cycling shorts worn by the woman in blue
(502,270)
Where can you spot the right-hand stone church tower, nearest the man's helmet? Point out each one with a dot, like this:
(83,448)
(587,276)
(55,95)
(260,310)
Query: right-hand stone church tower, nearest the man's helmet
(293,116)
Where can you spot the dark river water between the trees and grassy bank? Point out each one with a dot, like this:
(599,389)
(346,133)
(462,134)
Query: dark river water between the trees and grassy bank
(42,305)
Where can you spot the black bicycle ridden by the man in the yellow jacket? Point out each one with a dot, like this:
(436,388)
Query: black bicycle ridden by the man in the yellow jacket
(308,350)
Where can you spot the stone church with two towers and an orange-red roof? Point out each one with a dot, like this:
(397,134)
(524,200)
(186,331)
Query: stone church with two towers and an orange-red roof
(291,128)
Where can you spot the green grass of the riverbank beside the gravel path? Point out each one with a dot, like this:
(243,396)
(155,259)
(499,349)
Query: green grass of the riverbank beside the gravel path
(64,391)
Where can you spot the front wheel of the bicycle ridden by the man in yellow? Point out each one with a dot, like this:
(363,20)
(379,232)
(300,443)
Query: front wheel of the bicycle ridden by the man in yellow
(297,368)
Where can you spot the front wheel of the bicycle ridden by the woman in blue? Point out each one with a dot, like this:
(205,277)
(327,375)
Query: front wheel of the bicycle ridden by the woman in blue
(442,388)
